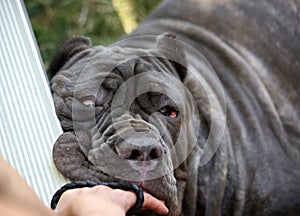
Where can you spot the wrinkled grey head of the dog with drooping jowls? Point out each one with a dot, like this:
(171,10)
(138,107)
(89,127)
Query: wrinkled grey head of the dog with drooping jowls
(126,115)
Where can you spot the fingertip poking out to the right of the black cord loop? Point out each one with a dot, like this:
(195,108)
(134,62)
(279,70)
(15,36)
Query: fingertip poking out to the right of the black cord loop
(154,204)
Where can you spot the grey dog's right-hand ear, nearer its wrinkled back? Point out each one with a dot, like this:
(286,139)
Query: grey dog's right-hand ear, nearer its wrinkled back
(173,50)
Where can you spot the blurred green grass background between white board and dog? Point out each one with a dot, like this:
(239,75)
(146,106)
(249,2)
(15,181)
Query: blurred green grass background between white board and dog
(104,21)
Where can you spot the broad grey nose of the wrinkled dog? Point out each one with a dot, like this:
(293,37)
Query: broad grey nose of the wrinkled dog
(139,152)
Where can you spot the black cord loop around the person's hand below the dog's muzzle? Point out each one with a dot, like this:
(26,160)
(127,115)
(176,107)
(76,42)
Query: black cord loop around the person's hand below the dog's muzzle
(127,186)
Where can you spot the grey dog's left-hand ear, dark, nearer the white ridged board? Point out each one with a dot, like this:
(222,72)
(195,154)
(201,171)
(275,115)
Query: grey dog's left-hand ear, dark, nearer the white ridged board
(71,47)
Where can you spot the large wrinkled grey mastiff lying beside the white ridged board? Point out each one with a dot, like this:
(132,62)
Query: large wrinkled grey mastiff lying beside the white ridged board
(200,106)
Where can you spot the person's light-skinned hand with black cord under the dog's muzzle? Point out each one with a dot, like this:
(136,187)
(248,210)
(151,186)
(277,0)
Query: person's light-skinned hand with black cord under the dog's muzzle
(104,201)
